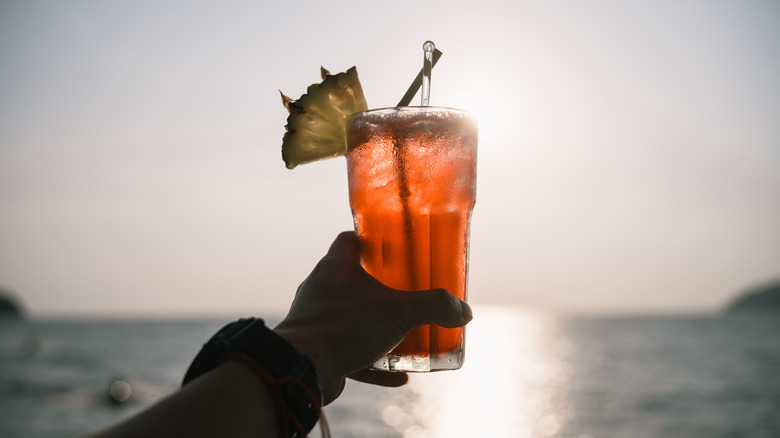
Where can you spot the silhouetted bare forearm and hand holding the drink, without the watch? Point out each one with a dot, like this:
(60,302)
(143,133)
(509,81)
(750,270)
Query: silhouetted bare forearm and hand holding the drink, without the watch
(341,318)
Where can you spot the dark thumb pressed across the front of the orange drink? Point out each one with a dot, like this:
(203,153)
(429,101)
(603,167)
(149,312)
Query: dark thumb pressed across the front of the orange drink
(436,306)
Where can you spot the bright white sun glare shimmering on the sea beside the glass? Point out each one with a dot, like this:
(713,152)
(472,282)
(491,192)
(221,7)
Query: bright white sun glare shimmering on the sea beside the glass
(514,383)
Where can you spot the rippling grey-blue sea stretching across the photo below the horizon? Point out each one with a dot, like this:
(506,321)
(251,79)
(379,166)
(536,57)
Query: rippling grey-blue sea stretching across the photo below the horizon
(526,375)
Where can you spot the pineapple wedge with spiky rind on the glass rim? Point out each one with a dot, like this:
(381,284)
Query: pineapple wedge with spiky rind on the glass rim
(316,124)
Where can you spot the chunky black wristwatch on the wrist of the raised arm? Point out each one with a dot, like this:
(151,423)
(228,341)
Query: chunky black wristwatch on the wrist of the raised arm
(250,337)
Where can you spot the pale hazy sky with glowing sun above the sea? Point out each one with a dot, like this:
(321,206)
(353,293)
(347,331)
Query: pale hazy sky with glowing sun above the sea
(629,154)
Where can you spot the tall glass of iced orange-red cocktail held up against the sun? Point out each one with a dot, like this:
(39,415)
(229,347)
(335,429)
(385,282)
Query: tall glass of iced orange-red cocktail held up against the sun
(412,187)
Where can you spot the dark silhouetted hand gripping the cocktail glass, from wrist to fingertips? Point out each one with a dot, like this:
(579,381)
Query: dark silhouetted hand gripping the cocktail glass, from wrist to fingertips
(344,319)
